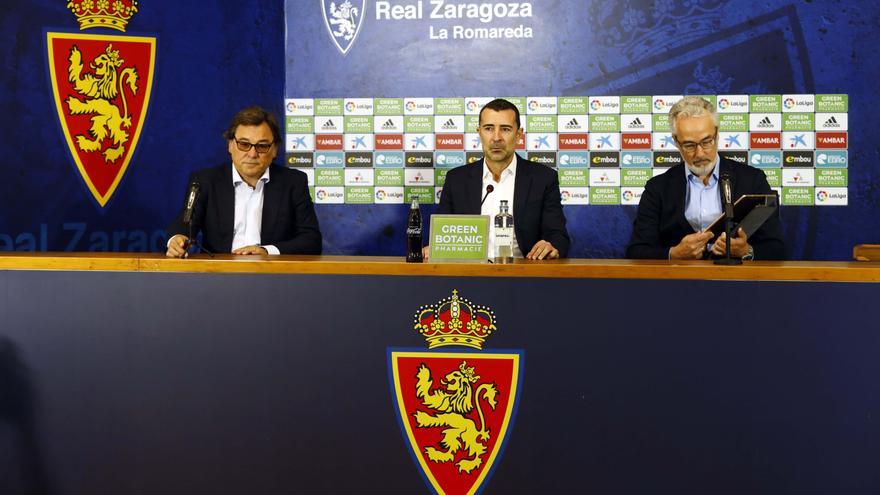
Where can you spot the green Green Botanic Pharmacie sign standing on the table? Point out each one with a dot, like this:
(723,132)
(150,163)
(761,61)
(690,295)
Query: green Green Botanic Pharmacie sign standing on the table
(459,238)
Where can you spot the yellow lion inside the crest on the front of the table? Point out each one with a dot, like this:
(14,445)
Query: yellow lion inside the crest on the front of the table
(452,404)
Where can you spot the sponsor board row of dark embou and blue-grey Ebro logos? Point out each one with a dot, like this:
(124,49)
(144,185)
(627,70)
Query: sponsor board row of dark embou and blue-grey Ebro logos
(561,159)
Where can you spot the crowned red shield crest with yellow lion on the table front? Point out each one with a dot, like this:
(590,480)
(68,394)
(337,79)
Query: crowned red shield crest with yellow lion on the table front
(455,407)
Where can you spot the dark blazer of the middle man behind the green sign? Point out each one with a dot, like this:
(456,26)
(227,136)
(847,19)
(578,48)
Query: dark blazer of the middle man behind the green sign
(537,205)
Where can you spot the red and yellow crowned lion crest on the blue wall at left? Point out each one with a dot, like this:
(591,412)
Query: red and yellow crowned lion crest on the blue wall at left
(101,85)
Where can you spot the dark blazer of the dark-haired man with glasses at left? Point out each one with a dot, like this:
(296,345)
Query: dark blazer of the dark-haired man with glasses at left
(289,221)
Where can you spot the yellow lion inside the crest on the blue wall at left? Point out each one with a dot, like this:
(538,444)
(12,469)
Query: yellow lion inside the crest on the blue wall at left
(100,88)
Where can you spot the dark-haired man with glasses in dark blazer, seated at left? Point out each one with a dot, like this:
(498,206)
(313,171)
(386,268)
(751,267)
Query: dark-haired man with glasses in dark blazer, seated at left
(250,206)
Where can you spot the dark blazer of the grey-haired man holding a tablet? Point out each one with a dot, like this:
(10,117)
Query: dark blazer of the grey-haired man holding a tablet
(660,222)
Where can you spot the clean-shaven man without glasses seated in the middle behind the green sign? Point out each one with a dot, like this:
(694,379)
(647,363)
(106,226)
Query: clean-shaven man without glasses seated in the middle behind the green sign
(531,190)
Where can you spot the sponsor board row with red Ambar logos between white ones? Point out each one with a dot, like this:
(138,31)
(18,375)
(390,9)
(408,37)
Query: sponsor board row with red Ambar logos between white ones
(532,141)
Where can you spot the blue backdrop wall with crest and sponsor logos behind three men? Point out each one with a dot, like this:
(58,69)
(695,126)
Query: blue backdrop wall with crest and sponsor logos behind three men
(378,101)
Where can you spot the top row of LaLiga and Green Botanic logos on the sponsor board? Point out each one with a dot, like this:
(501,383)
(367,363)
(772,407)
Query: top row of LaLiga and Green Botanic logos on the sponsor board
(569,105)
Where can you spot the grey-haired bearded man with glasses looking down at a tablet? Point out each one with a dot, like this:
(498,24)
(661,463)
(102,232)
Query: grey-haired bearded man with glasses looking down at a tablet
(680,203)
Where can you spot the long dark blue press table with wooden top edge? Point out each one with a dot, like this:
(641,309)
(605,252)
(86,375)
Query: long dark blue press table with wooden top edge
(249,374)
